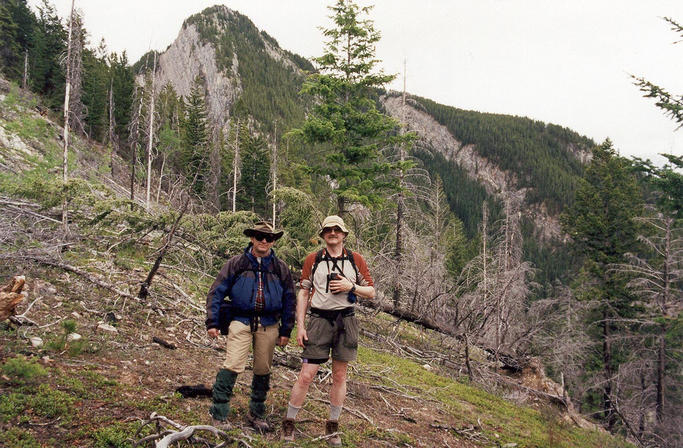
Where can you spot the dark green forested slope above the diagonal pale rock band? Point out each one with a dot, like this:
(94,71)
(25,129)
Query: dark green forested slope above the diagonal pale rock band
(539,154)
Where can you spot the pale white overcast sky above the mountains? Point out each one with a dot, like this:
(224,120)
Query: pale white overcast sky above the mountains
(560,61)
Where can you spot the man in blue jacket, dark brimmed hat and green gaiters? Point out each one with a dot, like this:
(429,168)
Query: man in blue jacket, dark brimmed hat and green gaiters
(253,301)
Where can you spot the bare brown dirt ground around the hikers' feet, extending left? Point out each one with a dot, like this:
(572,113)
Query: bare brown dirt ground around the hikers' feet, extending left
(148,372)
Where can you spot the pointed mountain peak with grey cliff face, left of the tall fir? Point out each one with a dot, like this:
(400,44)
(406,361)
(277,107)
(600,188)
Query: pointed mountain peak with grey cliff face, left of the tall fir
(233,58)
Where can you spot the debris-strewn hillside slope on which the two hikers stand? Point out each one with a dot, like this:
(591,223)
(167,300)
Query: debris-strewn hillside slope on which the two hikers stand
(408,387)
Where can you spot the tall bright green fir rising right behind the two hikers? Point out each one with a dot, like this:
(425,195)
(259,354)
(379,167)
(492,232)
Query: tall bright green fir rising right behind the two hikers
(345,122)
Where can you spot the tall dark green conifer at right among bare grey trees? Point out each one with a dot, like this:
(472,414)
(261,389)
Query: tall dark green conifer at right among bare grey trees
(602,226)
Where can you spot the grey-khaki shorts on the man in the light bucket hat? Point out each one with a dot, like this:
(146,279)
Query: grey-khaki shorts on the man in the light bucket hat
(326,334)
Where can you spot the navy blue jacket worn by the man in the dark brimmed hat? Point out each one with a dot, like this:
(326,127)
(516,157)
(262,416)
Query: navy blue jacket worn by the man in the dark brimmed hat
(233,293)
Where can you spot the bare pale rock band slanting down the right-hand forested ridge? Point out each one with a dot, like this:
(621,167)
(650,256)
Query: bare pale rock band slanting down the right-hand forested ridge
(498,183)
